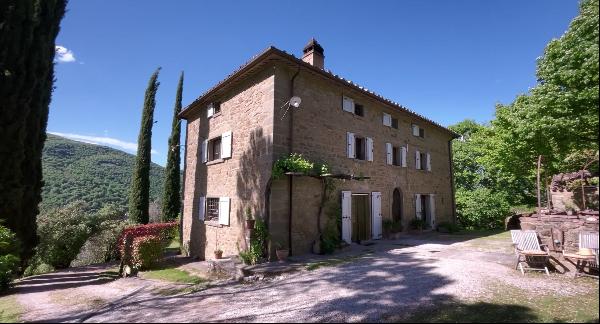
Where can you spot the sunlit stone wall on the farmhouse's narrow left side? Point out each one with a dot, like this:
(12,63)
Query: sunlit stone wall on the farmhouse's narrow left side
(247,111)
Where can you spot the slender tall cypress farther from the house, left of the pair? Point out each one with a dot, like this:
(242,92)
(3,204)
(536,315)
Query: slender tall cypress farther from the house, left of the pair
(139,196)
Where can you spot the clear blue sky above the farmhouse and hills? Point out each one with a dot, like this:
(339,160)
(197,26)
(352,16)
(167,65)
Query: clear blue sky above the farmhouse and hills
(448,60)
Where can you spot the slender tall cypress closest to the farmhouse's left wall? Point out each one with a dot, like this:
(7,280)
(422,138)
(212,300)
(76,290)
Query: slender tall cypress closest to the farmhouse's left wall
(171,202)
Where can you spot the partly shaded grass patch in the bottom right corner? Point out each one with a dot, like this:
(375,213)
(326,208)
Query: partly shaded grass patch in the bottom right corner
(512,305)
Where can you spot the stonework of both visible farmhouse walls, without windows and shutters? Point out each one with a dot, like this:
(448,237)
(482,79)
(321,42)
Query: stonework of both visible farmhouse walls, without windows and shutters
(317,129)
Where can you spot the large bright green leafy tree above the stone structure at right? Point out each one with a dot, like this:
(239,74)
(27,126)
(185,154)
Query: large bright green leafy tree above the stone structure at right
(559,116)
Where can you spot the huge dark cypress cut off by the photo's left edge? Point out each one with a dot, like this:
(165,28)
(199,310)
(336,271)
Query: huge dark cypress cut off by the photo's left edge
(28,30)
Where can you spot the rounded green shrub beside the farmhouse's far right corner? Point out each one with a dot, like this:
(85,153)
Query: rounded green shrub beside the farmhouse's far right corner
(481,208)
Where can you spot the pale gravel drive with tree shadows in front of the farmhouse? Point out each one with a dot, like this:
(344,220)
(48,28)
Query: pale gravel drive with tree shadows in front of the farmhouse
(391,281)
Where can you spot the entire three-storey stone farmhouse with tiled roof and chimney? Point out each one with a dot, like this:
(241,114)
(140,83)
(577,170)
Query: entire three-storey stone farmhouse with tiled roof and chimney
(398,162)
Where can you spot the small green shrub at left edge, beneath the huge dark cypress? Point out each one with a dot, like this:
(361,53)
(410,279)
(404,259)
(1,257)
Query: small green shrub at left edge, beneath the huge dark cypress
(9,260)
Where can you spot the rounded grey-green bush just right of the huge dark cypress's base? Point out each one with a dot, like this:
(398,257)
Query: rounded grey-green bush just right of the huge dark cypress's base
(62,232)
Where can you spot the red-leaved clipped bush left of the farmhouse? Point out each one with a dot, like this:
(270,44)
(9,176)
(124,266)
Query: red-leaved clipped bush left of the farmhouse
(142,246)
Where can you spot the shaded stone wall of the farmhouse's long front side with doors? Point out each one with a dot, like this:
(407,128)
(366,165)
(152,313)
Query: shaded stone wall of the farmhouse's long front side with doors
(319,133)
